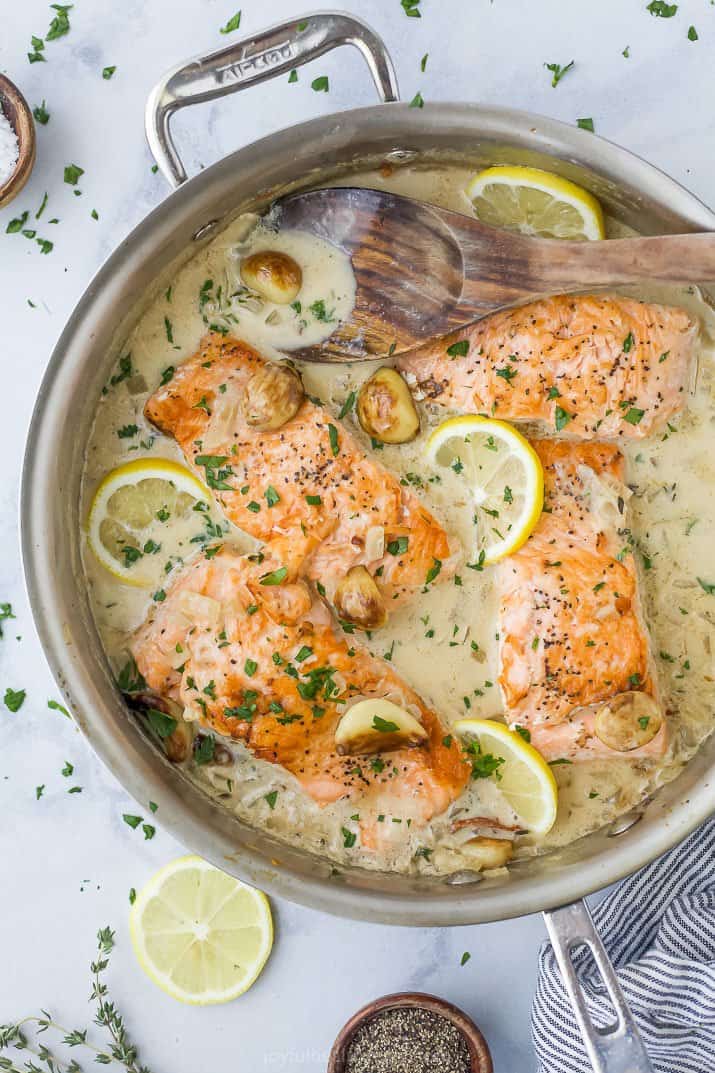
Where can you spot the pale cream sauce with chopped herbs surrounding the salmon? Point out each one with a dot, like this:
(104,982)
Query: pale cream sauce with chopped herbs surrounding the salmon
(430,641)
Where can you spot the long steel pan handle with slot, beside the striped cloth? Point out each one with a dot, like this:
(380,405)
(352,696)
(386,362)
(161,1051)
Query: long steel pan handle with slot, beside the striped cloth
(619,1048)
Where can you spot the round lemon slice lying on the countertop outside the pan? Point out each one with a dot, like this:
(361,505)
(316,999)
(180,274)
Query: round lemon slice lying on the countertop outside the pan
(200,935)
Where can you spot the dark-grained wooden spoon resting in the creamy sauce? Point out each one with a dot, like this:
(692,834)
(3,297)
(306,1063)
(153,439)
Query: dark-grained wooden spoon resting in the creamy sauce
(424,271)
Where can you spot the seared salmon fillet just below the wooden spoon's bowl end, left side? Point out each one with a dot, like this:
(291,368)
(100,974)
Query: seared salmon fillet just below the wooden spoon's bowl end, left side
(308,488)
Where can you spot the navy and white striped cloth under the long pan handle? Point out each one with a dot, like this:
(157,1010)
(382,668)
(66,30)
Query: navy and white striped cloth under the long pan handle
(660,930)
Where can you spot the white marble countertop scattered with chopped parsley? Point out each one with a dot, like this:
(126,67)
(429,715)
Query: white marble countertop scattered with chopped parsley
(67,860)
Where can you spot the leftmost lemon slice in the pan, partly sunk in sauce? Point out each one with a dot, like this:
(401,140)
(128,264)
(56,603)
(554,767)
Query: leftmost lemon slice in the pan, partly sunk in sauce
(132,510)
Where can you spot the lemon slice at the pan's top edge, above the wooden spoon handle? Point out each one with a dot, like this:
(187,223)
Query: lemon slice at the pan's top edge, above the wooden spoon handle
(536,203)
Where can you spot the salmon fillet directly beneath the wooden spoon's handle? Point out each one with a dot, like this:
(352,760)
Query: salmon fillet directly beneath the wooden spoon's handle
(585,365)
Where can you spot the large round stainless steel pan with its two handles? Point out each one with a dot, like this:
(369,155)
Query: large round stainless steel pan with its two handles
(316,152)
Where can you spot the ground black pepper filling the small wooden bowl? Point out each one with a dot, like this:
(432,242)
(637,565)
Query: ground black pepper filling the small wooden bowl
(407,1040)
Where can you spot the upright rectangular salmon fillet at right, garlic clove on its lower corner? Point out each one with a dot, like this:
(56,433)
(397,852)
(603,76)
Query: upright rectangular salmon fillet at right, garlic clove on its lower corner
(572,633)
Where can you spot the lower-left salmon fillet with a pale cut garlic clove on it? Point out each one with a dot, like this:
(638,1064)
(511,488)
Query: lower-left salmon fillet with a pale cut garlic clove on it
(262,665)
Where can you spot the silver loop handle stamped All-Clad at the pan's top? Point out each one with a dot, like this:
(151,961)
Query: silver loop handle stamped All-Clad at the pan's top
(253,61)
